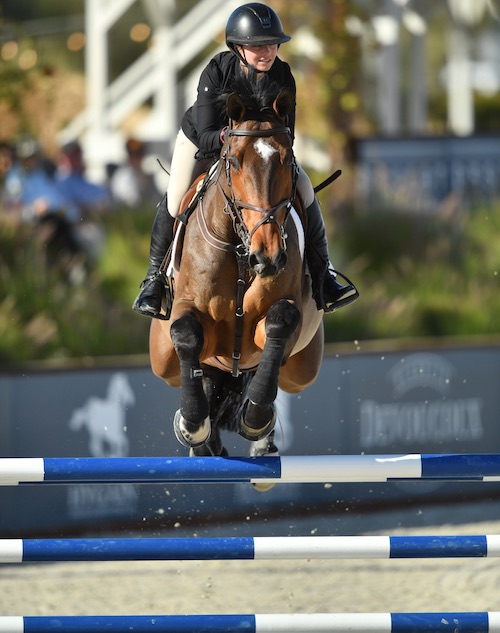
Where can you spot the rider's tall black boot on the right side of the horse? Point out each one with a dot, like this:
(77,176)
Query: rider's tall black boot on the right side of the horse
(327,292)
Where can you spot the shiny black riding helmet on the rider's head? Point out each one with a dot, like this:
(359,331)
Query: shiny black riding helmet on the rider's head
(254,24)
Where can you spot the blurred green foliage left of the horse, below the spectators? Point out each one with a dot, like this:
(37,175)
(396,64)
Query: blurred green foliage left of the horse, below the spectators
(43,315)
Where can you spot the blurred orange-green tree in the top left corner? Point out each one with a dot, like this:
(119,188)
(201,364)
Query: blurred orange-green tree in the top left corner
(40,91)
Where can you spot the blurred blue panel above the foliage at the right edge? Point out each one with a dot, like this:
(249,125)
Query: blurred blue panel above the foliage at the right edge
(427,170)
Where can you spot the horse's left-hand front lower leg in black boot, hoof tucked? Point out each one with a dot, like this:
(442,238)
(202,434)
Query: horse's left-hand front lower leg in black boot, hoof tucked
(191,421)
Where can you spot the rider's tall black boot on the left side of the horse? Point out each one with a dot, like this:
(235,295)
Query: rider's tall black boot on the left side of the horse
(152,295)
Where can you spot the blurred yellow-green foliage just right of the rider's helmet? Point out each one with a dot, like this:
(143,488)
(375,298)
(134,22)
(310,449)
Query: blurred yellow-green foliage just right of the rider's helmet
(327,63)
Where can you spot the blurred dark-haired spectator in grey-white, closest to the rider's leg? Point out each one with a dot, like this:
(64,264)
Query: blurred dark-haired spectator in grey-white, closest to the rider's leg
(130,184)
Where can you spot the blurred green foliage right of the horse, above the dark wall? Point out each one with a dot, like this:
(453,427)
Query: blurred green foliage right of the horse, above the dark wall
(421,276)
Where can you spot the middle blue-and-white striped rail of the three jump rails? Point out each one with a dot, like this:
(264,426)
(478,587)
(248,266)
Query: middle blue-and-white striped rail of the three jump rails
(249,548)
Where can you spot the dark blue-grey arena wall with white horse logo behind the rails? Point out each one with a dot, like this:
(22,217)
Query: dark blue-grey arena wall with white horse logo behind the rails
(406,401)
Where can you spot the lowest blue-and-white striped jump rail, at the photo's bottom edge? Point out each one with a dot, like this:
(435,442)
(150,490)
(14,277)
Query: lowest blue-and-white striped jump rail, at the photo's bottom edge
(474,622)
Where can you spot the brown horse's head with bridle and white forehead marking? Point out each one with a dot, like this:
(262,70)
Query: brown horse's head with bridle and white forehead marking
(261,175)
